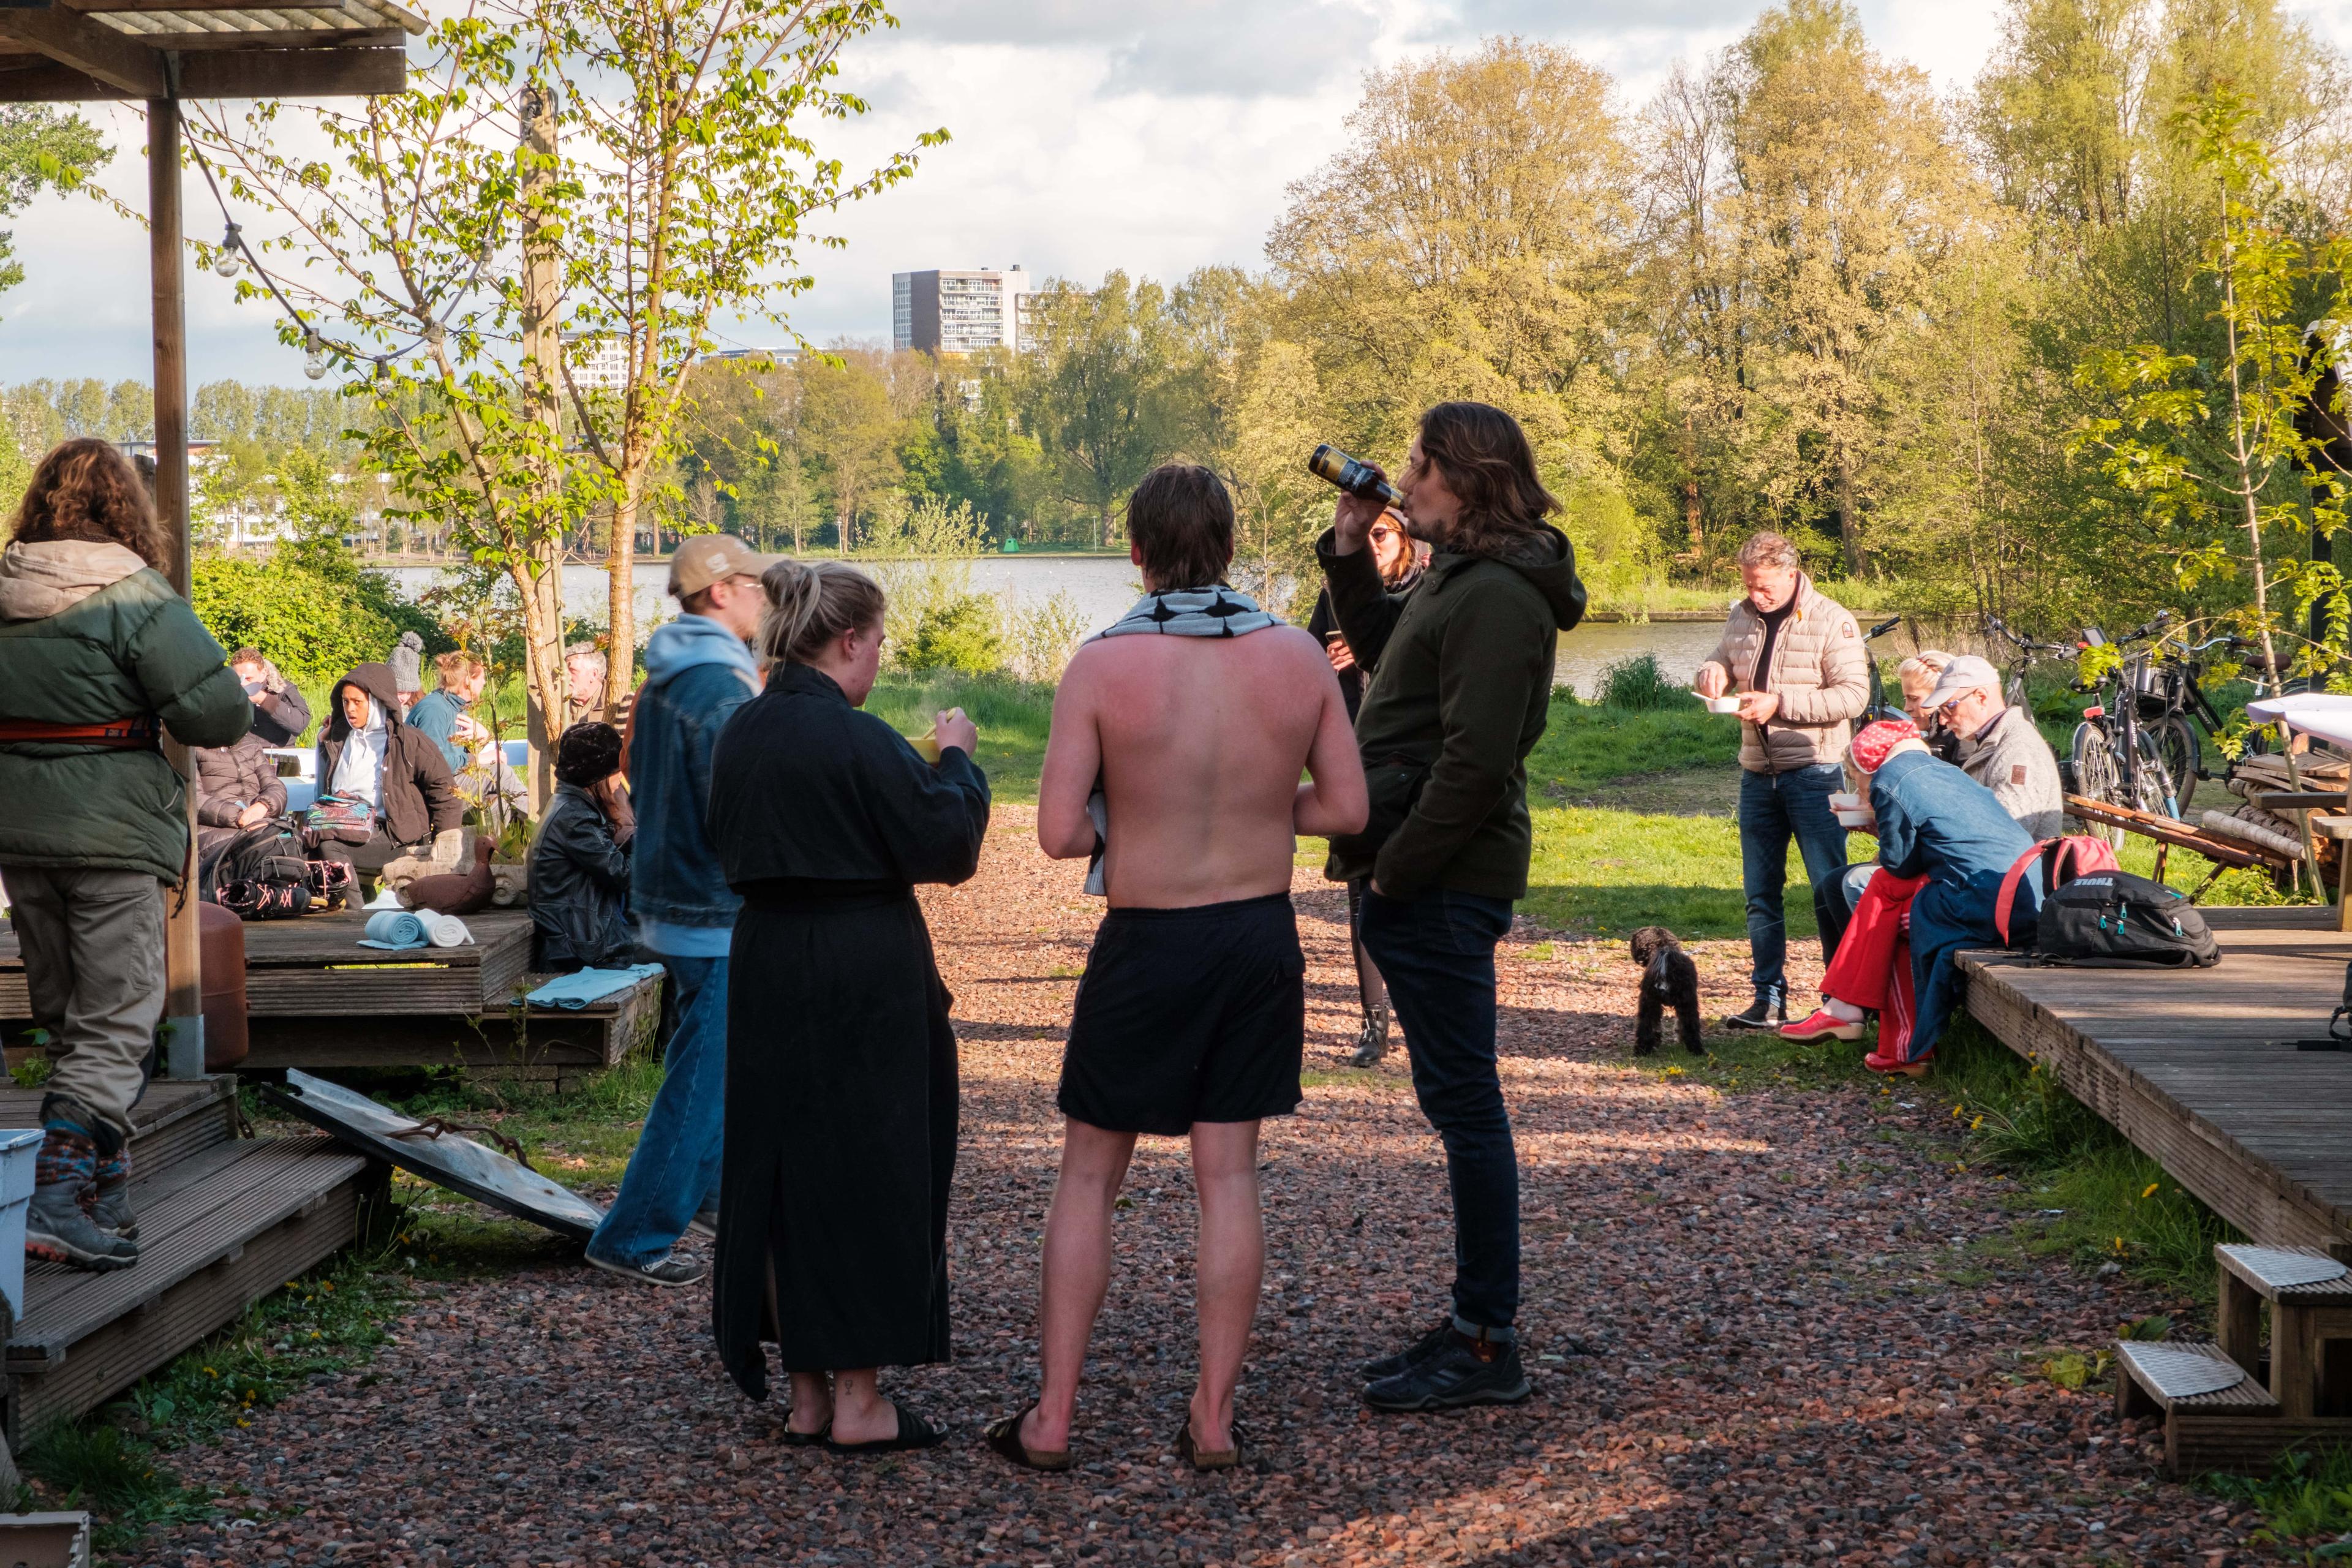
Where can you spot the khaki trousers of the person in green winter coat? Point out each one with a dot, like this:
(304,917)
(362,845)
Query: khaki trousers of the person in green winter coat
(93,965)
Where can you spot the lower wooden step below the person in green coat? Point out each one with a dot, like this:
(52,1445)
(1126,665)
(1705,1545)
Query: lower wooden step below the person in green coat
(218,1233)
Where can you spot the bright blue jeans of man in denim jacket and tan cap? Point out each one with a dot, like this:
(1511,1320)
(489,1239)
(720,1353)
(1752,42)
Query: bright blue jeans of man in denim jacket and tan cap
(676,1167)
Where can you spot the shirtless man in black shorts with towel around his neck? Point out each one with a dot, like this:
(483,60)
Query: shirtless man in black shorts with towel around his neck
(1194,718)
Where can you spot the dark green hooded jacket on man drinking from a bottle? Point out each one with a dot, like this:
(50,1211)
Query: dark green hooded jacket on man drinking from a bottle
(1459,695)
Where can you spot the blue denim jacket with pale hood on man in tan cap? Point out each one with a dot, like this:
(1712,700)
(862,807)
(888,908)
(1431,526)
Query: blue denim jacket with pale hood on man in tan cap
(674,873)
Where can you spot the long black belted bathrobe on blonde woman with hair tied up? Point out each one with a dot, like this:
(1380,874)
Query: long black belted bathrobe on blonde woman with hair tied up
(841,1064)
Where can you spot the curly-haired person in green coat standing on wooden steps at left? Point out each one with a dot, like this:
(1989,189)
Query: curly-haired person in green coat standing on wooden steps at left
(98,662)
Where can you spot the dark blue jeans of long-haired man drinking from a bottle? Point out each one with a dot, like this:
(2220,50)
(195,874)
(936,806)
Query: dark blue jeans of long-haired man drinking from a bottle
(1438,960)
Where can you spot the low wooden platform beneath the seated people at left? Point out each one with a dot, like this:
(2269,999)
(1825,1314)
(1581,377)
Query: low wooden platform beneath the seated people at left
(319,1000)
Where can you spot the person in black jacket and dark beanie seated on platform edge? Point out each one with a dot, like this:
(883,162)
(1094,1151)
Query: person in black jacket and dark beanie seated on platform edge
(580,862)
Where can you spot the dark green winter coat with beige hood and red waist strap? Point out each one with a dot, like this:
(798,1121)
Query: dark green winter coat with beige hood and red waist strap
(91,636)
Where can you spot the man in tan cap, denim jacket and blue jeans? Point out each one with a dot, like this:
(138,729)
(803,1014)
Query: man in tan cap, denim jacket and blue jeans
(697,674)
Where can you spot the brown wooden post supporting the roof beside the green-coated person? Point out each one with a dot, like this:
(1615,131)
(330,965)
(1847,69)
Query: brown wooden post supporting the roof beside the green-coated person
(182,956)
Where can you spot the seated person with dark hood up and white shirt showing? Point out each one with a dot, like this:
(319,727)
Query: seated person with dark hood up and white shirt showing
(389,777)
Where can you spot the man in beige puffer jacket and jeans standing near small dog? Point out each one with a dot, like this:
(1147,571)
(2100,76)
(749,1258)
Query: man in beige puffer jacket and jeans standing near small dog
(1798,662)
